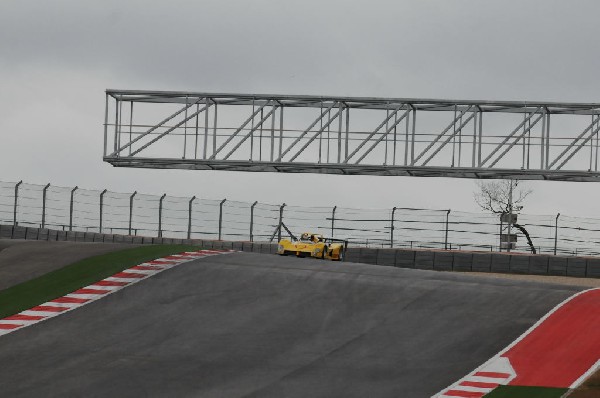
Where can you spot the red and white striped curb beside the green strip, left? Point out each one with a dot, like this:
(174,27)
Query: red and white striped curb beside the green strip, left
(97,290)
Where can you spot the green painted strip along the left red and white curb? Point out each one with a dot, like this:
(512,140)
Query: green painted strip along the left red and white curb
(63,281)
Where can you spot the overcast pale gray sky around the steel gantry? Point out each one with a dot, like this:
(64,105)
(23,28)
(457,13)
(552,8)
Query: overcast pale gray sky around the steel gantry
(58,57)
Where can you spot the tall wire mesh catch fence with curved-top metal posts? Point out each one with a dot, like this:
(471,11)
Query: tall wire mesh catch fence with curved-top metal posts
(77,209)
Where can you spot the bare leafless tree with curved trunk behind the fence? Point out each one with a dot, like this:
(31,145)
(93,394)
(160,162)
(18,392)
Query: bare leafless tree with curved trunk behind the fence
(504,197)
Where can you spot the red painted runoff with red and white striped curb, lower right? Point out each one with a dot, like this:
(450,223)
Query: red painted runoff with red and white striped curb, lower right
(560,350)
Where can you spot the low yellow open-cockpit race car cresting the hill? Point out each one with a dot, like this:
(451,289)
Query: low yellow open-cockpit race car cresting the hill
(313,245)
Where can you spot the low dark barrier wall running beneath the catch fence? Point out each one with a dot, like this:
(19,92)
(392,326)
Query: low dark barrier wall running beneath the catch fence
(440,260)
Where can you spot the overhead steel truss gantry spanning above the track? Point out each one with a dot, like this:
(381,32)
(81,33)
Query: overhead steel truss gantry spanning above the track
(352,135)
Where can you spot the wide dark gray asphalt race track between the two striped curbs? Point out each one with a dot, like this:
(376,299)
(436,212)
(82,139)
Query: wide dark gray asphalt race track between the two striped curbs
(252,325)
